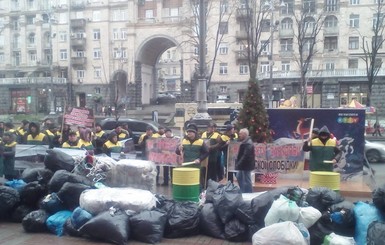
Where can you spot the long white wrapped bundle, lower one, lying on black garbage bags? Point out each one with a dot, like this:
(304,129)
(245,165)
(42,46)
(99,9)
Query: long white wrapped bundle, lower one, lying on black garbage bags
(96,201)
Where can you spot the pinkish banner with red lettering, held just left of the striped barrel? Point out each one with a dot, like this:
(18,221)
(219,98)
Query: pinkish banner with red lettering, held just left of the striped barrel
(162,151)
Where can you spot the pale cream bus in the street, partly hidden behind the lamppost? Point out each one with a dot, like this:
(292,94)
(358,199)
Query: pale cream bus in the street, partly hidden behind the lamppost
(219,112)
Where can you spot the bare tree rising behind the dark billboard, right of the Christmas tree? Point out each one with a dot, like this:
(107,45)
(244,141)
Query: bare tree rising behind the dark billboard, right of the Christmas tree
(308,21)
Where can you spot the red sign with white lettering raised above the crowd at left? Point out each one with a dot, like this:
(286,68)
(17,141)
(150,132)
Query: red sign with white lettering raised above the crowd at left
(79,116)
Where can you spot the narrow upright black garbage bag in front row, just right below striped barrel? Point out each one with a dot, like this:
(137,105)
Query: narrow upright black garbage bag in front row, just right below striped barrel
(209,222)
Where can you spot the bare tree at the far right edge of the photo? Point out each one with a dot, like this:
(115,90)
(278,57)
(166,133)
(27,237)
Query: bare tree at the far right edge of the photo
(371,48)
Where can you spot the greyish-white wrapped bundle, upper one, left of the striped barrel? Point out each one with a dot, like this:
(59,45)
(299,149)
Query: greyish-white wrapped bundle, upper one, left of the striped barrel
(133,173)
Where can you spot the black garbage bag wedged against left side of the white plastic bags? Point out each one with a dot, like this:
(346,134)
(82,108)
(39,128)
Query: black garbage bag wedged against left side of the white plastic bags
(261,204)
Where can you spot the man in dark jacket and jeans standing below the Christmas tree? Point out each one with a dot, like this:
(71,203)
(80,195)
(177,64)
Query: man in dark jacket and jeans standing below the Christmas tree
(245,161)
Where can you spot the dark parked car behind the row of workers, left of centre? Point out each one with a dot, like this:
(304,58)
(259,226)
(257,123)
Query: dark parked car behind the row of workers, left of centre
(137,126)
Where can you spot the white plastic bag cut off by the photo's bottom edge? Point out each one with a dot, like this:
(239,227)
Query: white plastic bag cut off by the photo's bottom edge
(286,233)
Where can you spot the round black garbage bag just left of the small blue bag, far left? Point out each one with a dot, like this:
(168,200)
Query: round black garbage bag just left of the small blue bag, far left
(32,193)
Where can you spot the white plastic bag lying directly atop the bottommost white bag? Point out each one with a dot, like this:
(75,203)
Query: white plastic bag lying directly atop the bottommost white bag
(282,209)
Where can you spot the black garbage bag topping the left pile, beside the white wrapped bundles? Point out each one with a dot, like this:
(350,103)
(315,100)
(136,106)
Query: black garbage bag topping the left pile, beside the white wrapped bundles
(56,160)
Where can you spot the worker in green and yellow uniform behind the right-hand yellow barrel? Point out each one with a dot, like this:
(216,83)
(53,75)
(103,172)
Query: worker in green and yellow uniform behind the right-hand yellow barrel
(324,153)
